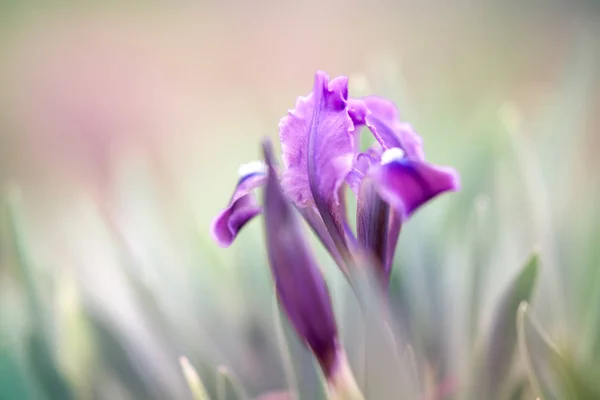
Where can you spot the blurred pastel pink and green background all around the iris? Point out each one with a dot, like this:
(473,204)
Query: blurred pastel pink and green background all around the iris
(122,127)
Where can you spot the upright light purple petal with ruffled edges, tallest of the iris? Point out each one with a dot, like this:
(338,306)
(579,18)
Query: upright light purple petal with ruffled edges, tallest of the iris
(317,143)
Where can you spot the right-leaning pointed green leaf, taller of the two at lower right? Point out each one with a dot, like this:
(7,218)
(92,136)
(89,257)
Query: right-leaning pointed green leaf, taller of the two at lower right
(497,356)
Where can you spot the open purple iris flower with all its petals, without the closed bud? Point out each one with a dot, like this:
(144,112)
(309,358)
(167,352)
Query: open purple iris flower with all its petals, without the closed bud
(319,143)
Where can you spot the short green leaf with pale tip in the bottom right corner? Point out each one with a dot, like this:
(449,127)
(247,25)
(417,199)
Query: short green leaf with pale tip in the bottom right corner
(552,375)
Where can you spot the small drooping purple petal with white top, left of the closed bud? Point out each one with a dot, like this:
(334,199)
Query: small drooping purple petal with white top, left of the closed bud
(242,206)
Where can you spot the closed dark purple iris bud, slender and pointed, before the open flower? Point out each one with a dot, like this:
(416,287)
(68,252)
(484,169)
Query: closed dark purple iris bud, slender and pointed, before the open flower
(299,284)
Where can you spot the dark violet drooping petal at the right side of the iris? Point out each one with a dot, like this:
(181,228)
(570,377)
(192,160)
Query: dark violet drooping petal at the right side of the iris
(406,184)
